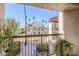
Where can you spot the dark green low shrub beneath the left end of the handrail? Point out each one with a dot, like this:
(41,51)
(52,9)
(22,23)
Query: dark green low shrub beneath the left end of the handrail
(13,50)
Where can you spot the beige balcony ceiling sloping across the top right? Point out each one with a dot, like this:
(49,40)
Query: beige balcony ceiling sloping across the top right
(55,6)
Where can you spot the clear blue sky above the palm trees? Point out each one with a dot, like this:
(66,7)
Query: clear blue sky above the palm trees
(13,10)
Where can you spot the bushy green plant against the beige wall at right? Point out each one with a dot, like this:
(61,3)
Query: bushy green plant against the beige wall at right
(63,48)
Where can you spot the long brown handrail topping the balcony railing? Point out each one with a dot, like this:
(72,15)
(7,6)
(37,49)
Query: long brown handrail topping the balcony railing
(34,35)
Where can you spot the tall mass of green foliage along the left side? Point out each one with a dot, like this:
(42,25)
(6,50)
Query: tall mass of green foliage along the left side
(6,40)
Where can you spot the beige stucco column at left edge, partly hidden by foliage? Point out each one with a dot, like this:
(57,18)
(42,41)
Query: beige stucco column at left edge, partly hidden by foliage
(2,14)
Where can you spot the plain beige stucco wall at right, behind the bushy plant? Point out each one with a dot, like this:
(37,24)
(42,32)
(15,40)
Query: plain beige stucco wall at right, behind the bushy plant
(71,28)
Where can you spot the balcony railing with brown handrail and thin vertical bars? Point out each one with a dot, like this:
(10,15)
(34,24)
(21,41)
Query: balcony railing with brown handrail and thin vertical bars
(29,49)
